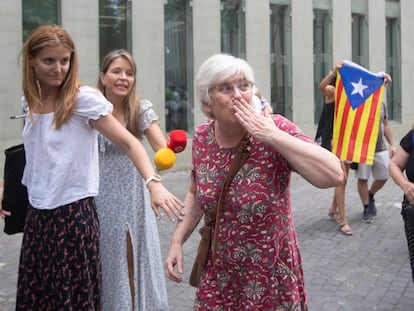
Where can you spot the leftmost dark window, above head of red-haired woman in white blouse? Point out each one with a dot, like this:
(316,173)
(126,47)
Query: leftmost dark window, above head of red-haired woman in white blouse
(39,12)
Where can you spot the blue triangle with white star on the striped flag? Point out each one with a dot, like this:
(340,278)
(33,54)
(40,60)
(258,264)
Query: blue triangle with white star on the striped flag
(359,83)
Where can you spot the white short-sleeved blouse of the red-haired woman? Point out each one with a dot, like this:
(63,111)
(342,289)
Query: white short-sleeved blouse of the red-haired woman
(62,165)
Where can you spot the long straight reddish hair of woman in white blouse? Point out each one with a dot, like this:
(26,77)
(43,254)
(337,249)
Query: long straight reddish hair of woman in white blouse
(51,36)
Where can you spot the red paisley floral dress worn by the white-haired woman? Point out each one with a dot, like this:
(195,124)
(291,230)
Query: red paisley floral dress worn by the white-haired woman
(258,264)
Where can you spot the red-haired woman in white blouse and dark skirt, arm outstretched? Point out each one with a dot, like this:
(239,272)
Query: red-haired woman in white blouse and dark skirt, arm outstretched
(60,265)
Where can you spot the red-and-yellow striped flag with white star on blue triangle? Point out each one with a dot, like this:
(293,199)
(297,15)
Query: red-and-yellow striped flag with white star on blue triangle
(358,99)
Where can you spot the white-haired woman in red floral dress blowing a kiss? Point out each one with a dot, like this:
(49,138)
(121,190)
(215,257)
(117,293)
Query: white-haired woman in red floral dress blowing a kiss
(257,263)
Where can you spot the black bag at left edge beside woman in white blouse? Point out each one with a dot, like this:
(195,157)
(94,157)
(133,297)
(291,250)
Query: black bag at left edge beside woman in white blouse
(15,197)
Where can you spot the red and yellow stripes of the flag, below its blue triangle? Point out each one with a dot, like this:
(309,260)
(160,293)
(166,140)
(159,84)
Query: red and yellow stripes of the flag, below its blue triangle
(356,131)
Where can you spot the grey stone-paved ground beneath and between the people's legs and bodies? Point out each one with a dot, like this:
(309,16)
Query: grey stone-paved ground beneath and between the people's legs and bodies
(367,271)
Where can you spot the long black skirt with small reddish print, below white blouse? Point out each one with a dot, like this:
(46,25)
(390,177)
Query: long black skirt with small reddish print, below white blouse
(59,261)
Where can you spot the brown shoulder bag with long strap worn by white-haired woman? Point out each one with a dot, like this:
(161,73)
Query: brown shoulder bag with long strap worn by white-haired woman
(212,218)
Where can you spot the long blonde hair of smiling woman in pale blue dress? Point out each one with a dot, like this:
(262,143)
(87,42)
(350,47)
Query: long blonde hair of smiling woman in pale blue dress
(131,102)
